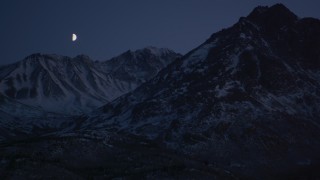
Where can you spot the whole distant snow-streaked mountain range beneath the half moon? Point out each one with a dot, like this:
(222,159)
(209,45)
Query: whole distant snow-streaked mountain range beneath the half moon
(75,85)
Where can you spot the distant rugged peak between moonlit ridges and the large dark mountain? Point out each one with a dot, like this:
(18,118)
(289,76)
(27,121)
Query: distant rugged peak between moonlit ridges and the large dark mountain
(136,66)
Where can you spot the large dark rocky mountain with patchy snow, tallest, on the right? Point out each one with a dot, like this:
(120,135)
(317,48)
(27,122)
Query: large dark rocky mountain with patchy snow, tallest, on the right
(246,100)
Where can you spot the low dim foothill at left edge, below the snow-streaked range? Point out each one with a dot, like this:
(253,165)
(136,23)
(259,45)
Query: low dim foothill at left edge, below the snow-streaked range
(22,121)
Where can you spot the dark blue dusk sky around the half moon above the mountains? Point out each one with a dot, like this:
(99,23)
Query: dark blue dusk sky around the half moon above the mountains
(110,27)
